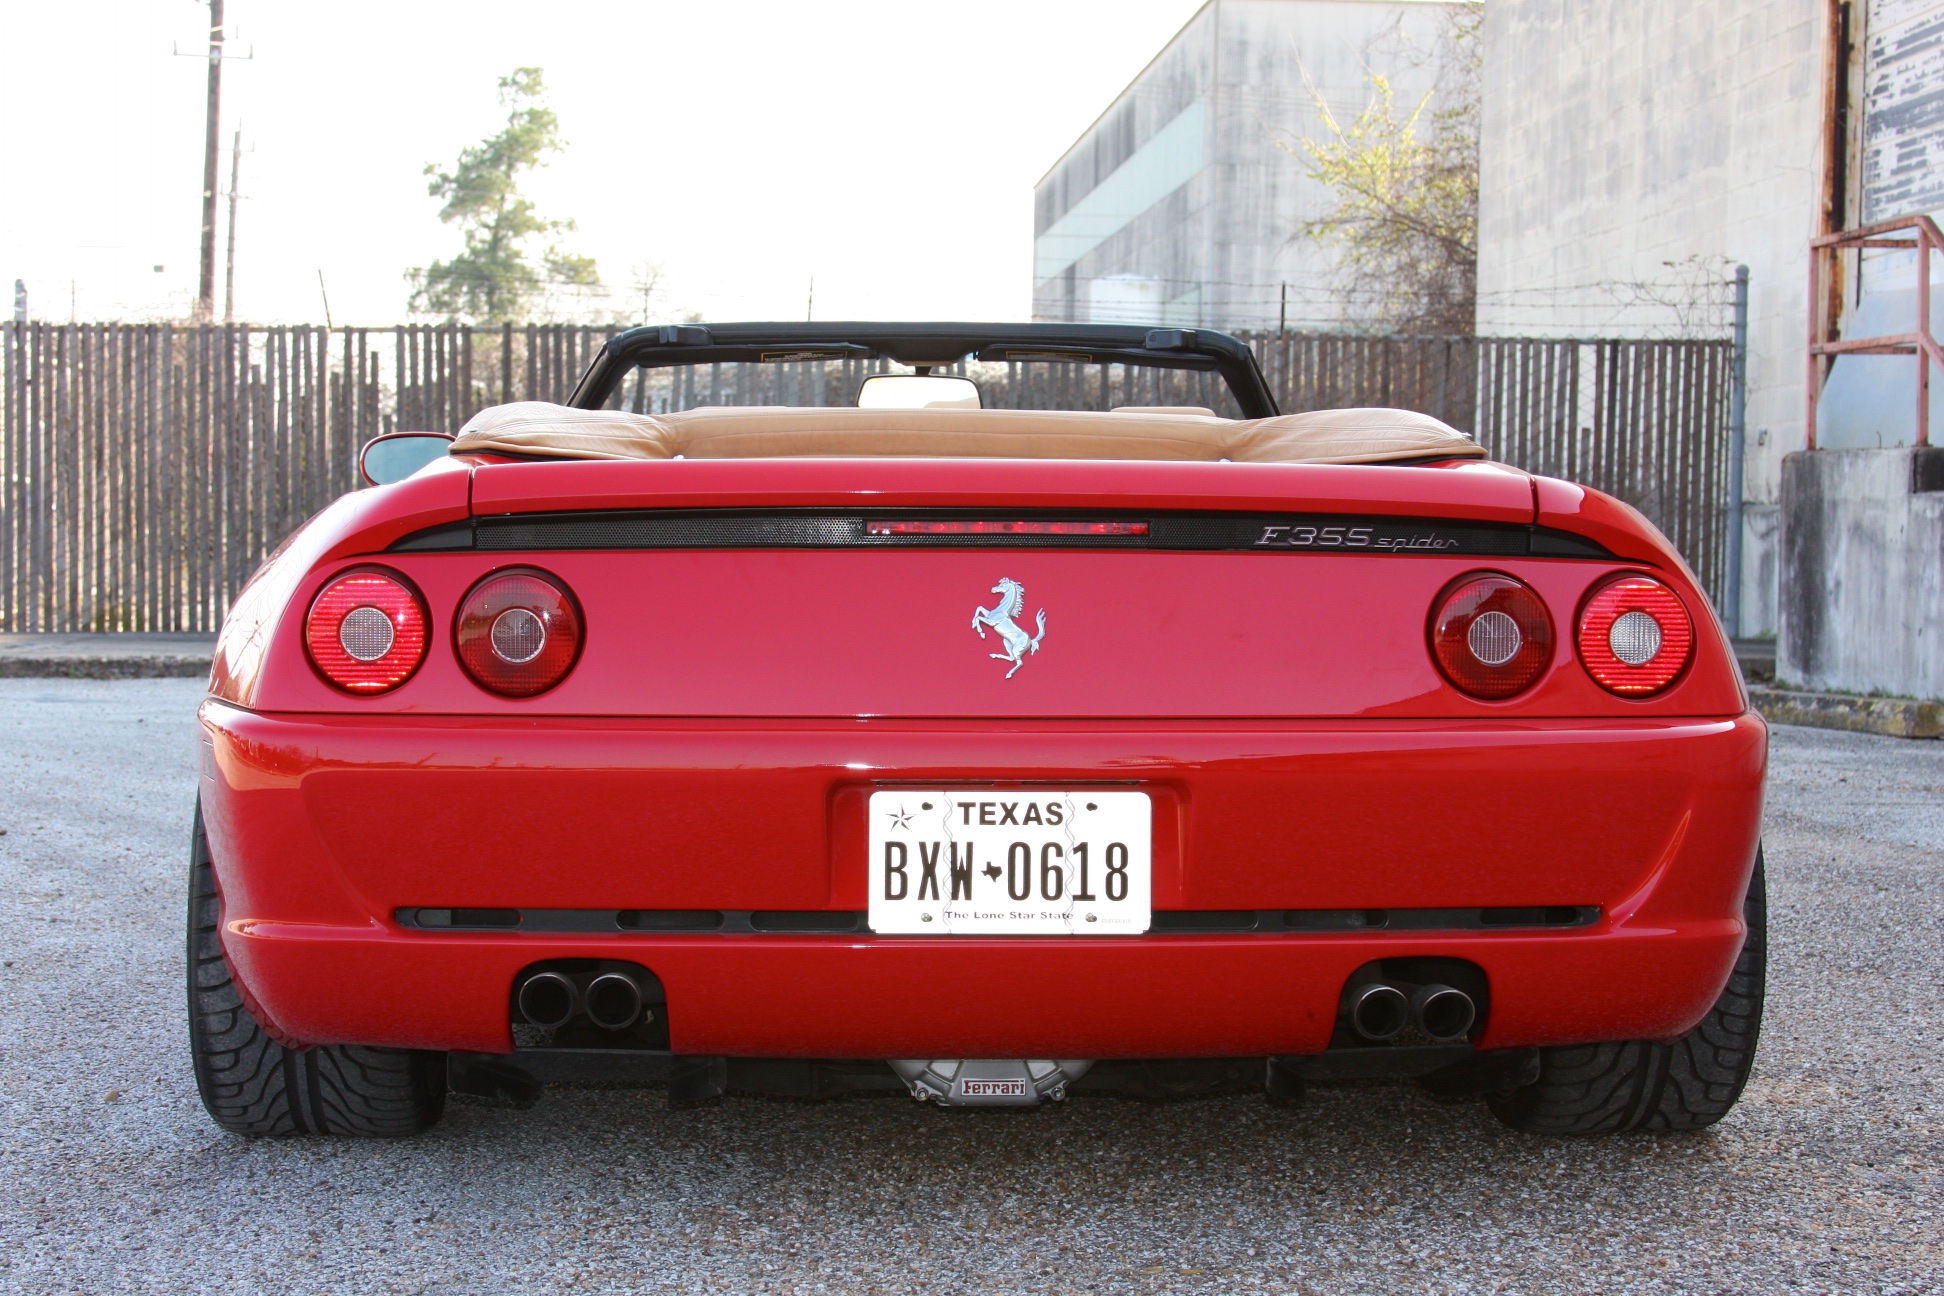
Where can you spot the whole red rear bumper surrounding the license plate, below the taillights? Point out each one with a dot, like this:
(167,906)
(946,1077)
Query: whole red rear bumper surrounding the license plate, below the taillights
(324,827)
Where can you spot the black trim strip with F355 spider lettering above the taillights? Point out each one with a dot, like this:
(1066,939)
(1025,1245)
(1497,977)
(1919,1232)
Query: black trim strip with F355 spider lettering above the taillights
(728,529)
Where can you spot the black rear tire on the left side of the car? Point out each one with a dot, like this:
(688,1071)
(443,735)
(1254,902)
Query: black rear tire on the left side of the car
(254,1085)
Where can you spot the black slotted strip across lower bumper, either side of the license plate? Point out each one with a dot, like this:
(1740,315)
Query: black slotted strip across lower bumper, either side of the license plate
(854,922)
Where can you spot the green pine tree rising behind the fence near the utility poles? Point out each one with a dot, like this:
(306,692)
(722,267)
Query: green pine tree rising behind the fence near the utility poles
(499,277)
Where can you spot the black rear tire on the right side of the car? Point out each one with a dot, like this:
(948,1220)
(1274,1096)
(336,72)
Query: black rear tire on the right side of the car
(1611,1089)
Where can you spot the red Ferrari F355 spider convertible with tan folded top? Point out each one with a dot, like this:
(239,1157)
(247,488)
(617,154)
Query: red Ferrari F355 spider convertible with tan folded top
(990,714)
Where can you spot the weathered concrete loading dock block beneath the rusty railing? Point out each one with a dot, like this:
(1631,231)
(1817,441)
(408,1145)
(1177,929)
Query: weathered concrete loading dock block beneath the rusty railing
(1863,572)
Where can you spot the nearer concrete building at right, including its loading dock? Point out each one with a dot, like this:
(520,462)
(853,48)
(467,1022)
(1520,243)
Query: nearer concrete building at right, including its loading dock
(1636,151)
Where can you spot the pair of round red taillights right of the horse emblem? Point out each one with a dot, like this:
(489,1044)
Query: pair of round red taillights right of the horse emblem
(1494,638)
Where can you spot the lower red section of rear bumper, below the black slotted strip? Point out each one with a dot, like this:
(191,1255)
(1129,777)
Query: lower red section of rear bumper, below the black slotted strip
(907,998)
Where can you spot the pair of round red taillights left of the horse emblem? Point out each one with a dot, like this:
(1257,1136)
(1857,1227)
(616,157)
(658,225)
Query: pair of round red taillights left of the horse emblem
(516,634)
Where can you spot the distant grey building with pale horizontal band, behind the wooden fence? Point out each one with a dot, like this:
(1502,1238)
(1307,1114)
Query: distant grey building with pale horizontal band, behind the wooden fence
(1181,205)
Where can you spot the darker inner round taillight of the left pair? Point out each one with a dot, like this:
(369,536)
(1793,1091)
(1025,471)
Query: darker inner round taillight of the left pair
(518,632)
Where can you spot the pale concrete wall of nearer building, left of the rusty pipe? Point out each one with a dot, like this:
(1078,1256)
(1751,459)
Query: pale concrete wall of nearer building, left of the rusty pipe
(1626,135)
